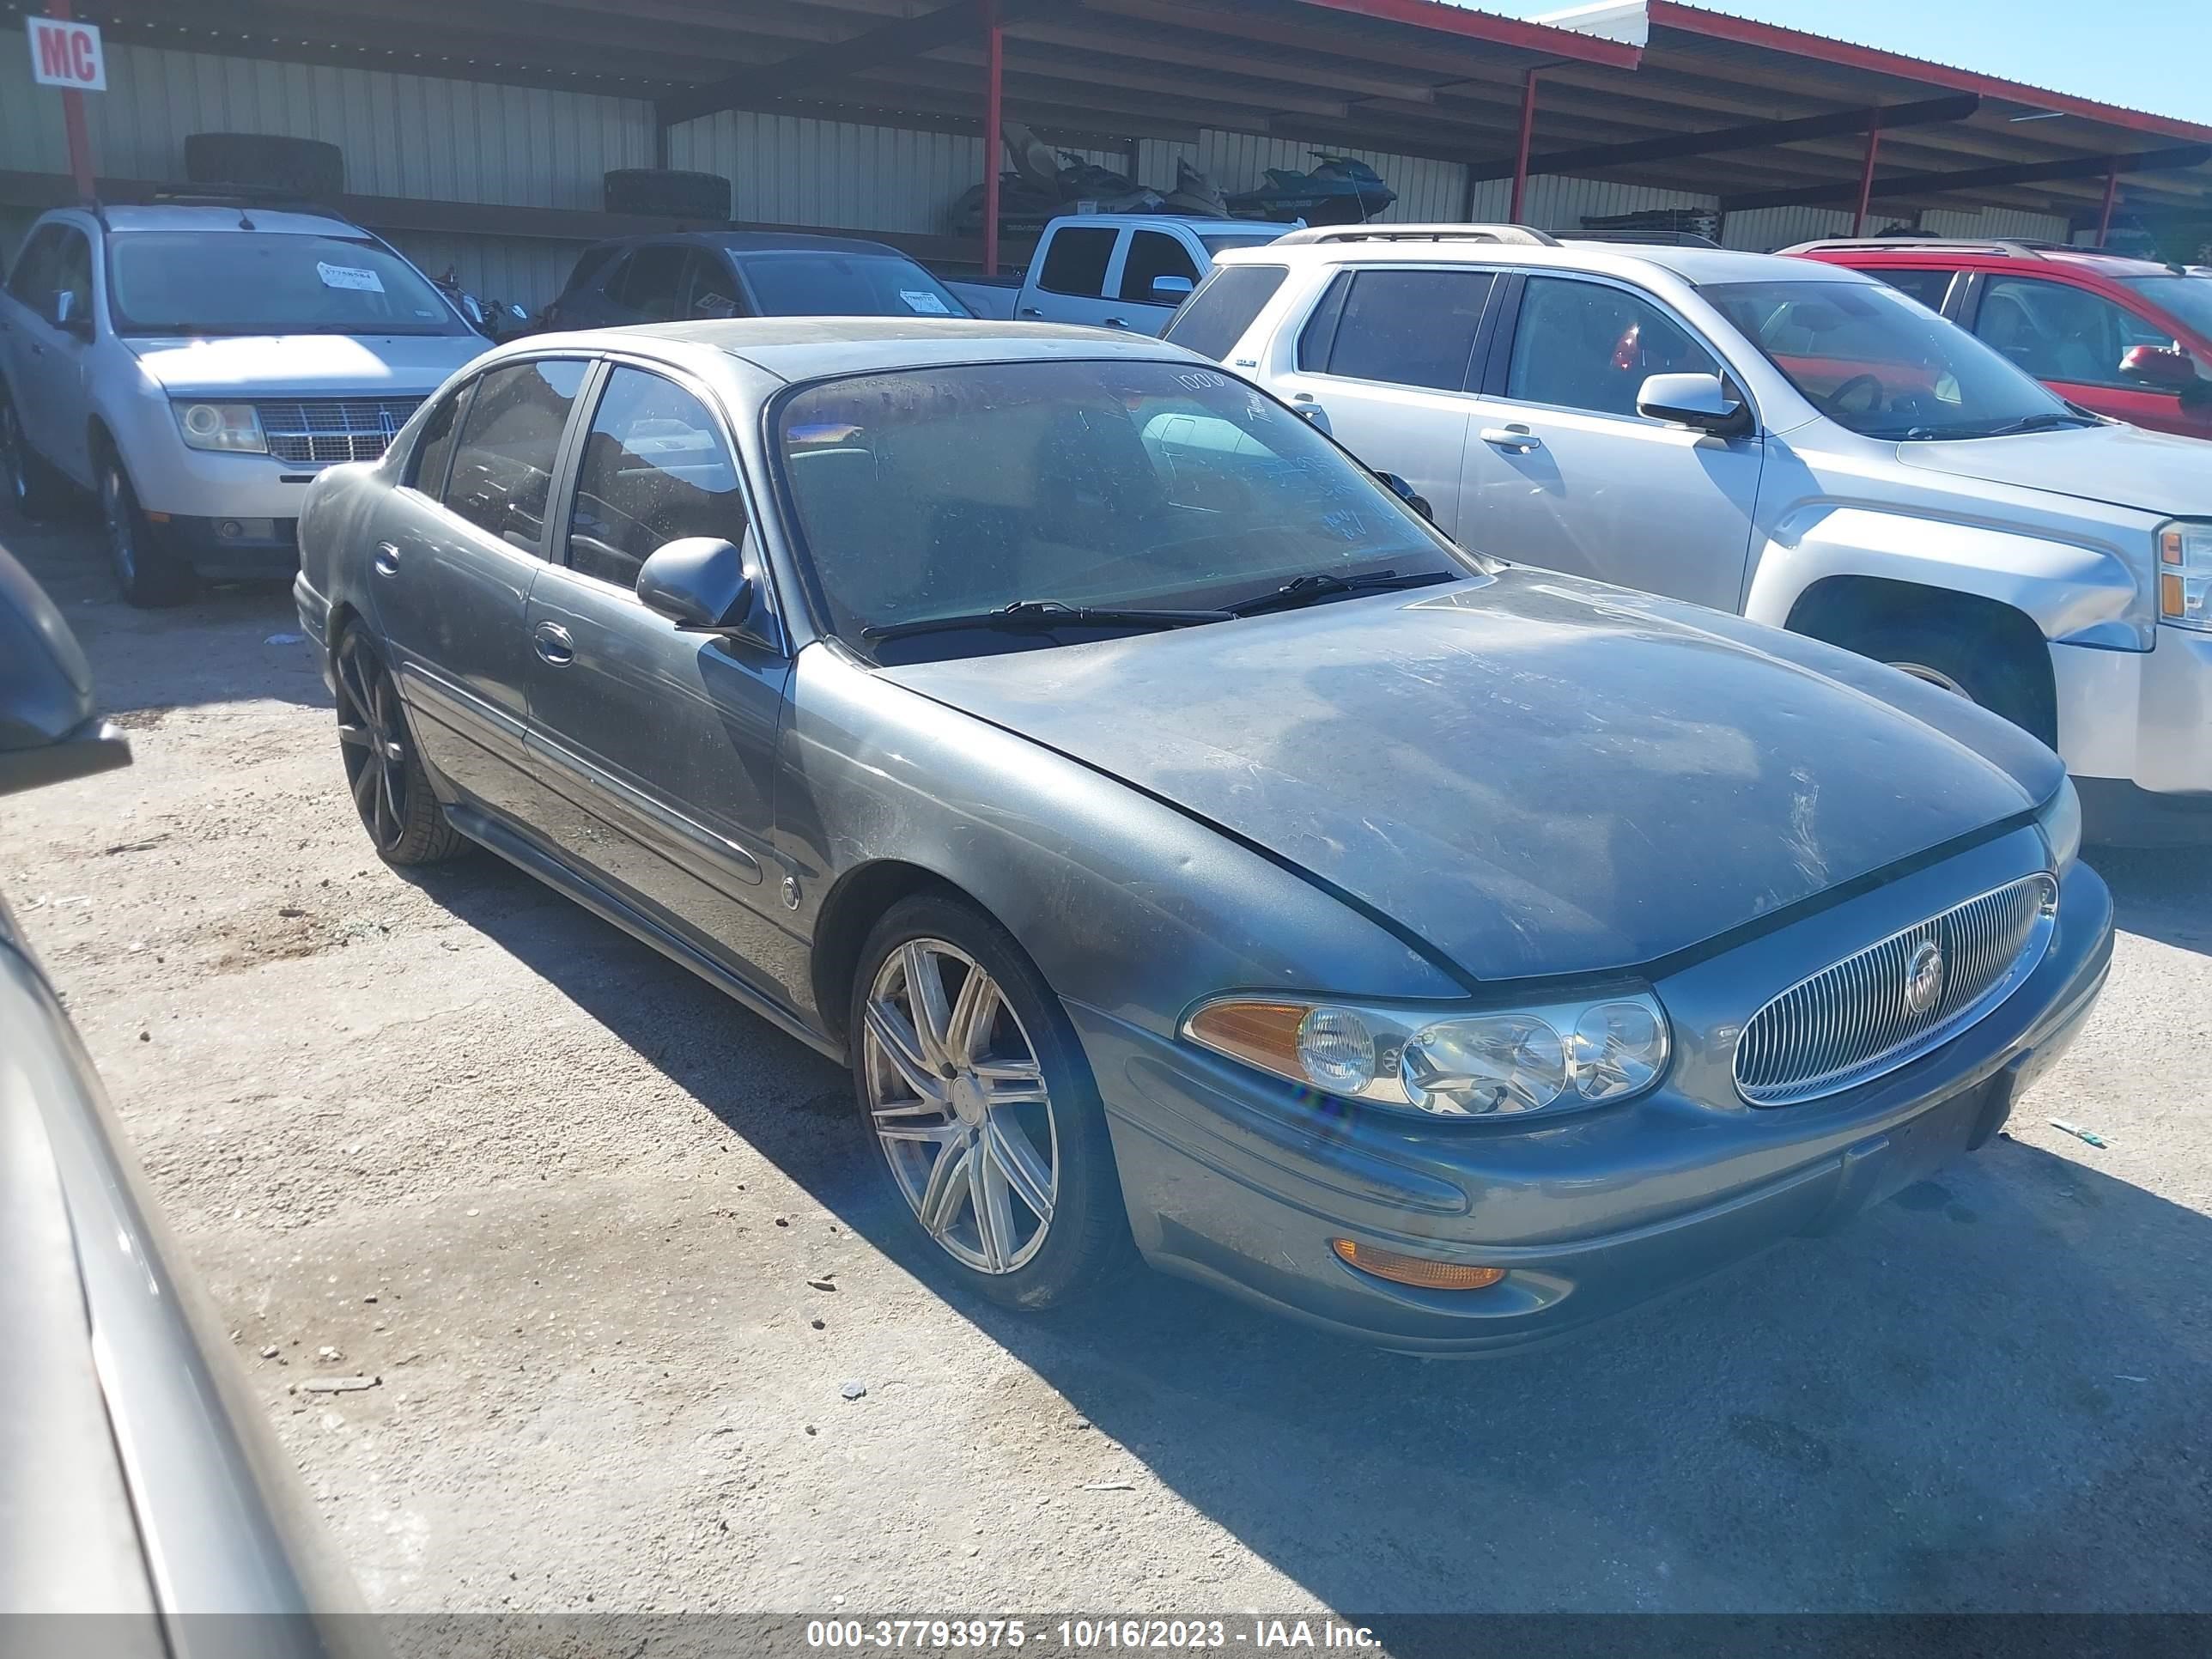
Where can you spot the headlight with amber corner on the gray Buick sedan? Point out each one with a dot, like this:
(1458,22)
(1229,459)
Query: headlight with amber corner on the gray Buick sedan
(1452,1065)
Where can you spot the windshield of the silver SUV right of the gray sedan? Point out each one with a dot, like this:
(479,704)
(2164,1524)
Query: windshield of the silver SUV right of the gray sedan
(1886,366)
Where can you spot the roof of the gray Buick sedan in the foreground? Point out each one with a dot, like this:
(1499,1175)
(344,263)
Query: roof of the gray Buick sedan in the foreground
(808,348)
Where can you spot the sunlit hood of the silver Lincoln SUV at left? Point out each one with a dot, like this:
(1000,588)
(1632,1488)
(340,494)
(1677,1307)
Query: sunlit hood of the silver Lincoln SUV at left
(306,366)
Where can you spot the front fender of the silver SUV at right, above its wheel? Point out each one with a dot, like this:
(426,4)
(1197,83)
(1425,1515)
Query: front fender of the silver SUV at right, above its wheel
(2076,592)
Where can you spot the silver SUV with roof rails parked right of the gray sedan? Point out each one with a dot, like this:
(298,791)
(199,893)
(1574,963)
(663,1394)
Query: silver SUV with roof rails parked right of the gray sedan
(1791,441)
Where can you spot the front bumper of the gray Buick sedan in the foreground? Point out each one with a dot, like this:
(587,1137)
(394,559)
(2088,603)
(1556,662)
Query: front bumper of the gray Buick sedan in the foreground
(1244,1182)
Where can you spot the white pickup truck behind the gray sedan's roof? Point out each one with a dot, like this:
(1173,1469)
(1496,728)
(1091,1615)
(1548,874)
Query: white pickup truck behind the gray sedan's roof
(1112,271)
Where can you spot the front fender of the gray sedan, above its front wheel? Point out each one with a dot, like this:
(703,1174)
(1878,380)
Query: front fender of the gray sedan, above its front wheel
(1123,901)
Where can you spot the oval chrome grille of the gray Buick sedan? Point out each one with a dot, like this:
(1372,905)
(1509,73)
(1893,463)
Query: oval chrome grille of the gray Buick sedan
(1855,1021)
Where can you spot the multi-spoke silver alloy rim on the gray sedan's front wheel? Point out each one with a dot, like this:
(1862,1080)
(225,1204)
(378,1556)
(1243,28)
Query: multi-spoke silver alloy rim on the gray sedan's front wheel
(961,1107)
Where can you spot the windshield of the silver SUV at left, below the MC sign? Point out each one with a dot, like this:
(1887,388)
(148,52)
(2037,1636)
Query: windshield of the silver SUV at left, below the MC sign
(269,282)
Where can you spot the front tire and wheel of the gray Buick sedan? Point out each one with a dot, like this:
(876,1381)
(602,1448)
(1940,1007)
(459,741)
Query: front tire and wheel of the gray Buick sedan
(983,1107)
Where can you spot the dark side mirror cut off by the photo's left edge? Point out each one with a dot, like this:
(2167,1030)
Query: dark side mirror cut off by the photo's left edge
(48,727)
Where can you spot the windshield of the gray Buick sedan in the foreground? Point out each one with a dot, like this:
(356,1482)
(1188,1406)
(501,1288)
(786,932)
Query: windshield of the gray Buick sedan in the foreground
(952,492)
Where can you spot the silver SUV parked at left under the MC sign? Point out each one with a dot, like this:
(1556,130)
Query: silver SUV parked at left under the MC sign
(198,364)
